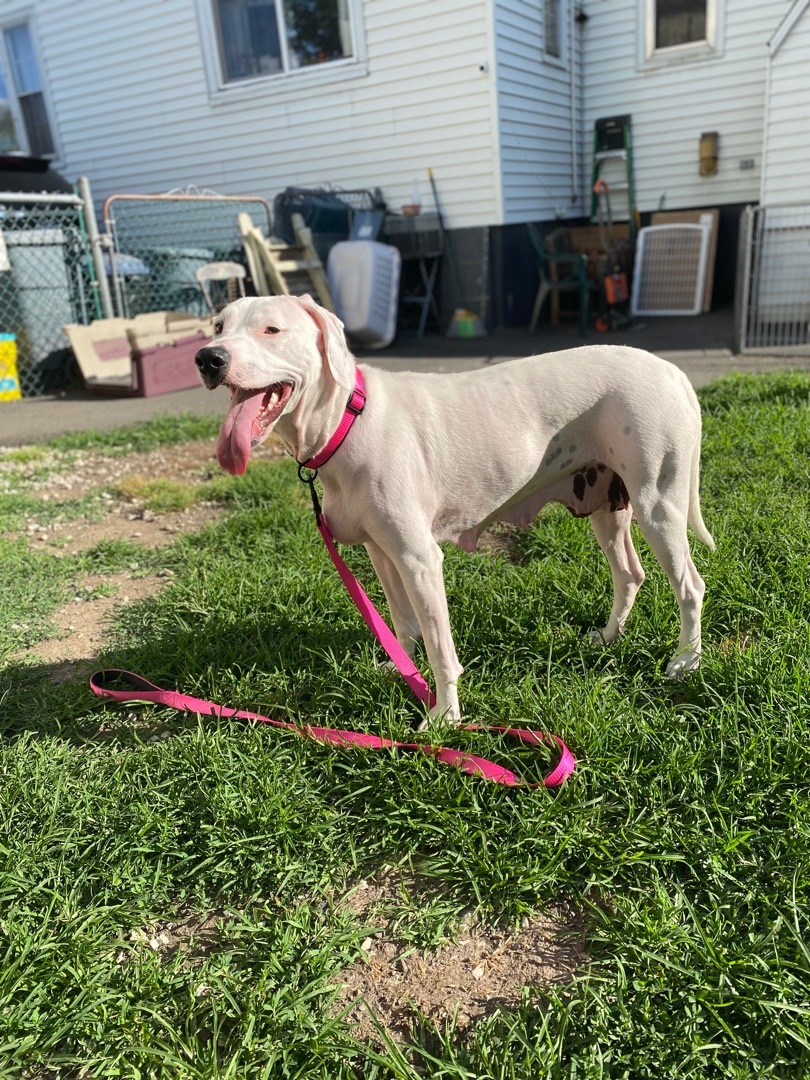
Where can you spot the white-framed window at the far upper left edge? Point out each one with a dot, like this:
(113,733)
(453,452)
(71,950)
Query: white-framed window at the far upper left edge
(24,121)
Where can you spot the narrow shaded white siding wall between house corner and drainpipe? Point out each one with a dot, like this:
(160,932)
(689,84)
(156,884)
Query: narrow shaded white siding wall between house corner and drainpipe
(537,140)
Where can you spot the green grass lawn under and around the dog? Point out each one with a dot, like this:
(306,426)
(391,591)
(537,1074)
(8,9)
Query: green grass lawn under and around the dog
(683,838)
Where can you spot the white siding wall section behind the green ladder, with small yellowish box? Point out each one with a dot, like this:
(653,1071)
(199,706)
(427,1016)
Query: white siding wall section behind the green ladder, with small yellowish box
(671,106)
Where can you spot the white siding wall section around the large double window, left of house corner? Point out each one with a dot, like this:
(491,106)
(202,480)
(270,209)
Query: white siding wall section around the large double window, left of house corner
(136,112)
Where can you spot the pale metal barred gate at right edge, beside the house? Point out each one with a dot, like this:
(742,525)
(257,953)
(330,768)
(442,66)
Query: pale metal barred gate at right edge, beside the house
(773,313)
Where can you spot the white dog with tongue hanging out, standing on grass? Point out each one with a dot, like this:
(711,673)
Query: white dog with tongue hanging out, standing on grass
(606,430)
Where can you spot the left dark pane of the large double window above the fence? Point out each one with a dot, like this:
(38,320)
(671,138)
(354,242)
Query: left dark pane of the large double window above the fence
(249,38)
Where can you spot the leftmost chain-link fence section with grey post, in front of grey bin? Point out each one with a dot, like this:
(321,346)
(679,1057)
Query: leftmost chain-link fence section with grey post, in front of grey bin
(47,280)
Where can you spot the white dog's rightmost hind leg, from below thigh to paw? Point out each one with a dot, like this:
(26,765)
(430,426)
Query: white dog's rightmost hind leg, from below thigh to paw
(664,526)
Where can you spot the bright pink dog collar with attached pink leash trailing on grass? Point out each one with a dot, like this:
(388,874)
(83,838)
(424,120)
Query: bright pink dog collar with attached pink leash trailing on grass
(141,690)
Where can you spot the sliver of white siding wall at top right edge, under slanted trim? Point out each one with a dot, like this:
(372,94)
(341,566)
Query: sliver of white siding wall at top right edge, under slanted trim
(788,123)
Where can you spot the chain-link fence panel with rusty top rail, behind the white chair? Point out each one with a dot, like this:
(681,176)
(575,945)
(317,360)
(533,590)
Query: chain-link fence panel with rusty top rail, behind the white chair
(160,241)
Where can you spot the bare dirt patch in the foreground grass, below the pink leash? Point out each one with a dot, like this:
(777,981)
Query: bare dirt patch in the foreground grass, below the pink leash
(470,978)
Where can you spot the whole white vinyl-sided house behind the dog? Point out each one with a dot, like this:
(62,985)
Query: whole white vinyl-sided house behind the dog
(498,98)
